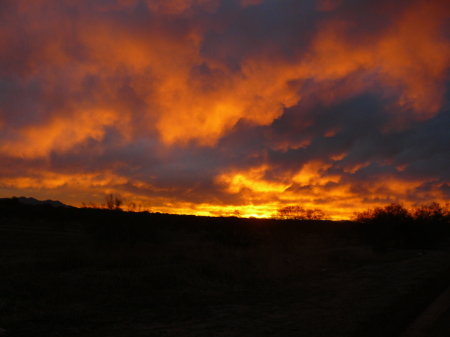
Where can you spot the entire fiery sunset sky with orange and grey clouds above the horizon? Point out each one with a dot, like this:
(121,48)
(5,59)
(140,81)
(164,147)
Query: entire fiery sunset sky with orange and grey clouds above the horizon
(210,106)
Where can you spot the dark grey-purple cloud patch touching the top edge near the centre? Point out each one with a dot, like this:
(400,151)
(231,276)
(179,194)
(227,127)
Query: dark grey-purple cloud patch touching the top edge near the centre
(274,30)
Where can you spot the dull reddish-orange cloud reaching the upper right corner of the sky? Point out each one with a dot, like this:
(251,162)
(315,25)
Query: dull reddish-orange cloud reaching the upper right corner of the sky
(411,57)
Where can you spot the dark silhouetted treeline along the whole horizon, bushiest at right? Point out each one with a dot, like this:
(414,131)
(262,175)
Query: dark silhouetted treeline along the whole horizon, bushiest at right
(391,226)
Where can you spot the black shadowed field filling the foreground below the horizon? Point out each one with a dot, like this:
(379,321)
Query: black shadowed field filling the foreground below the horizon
(106,273)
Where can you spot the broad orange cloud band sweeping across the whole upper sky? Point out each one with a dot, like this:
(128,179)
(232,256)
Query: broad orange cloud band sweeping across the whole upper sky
(410,57)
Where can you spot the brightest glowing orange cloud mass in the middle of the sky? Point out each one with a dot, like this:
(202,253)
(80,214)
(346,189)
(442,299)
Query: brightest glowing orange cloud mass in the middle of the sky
(206,117)
